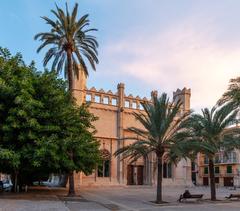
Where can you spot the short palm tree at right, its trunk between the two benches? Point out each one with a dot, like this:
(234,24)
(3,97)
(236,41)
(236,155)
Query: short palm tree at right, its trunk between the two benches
(211,130)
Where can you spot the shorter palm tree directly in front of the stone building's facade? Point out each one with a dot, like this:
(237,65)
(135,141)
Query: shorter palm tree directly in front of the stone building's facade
(163,134)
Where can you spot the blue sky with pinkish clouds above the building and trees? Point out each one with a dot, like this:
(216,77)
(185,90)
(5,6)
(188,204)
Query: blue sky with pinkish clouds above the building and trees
(146,44)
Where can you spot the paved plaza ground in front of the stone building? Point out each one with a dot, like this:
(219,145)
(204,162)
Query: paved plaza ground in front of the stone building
(115,198)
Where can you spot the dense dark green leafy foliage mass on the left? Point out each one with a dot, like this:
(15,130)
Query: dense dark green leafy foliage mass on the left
(41,127)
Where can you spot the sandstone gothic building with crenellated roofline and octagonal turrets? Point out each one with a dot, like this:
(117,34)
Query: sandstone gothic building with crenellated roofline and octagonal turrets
(115,112)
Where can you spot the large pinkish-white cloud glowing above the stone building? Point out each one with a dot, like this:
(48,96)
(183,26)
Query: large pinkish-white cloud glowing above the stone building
(182,55)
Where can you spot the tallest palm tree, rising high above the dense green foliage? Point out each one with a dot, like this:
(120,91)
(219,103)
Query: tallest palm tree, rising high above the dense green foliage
(69,43)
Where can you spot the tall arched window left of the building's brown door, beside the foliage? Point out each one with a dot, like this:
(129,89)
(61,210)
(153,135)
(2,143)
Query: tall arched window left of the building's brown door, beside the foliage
(104,167)
